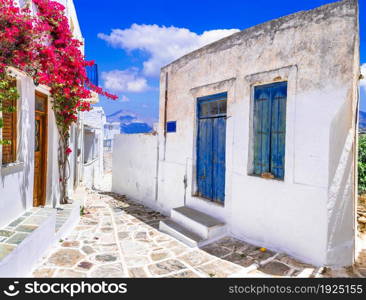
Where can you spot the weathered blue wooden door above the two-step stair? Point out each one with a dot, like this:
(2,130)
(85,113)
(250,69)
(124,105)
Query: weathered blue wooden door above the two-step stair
(211,140)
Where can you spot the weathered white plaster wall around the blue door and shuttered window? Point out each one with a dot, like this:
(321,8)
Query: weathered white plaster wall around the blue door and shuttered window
(311,213)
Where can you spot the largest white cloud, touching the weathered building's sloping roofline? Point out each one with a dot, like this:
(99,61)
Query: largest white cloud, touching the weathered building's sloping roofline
(162,44)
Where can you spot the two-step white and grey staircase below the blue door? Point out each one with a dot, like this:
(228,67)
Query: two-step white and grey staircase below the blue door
(193,227)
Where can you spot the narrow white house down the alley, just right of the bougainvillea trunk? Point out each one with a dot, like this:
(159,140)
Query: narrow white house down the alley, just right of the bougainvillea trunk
(92,156)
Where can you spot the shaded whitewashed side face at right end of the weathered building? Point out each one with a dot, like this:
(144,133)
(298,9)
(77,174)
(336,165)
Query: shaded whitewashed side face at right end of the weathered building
(340,206)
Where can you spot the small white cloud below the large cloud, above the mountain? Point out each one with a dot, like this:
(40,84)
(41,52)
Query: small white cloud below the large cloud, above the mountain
(124,81)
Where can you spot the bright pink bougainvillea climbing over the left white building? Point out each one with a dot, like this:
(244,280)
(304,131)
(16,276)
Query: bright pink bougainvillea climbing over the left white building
(42,45)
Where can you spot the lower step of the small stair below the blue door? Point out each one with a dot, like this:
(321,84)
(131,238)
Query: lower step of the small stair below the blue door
(180,233)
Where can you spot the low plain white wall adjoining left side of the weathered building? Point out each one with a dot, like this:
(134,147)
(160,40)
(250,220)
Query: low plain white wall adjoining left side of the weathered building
(134,167)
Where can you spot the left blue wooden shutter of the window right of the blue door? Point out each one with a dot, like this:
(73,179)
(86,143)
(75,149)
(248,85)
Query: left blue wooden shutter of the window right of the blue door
(262,112)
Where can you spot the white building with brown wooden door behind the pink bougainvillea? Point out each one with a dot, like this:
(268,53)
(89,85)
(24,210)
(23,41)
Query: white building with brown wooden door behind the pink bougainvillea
(29,174)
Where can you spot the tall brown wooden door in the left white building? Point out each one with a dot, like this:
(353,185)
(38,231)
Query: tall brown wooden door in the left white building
(40,151)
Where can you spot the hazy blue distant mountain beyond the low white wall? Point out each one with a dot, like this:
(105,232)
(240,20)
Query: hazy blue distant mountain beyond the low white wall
(129,122)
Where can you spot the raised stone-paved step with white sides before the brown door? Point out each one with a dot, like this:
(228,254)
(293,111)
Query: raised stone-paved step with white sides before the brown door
(25,240)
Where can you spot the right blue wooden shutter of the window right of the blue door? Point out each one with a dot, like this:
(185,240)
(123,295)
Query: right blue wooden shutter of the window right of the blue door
(278,129)
